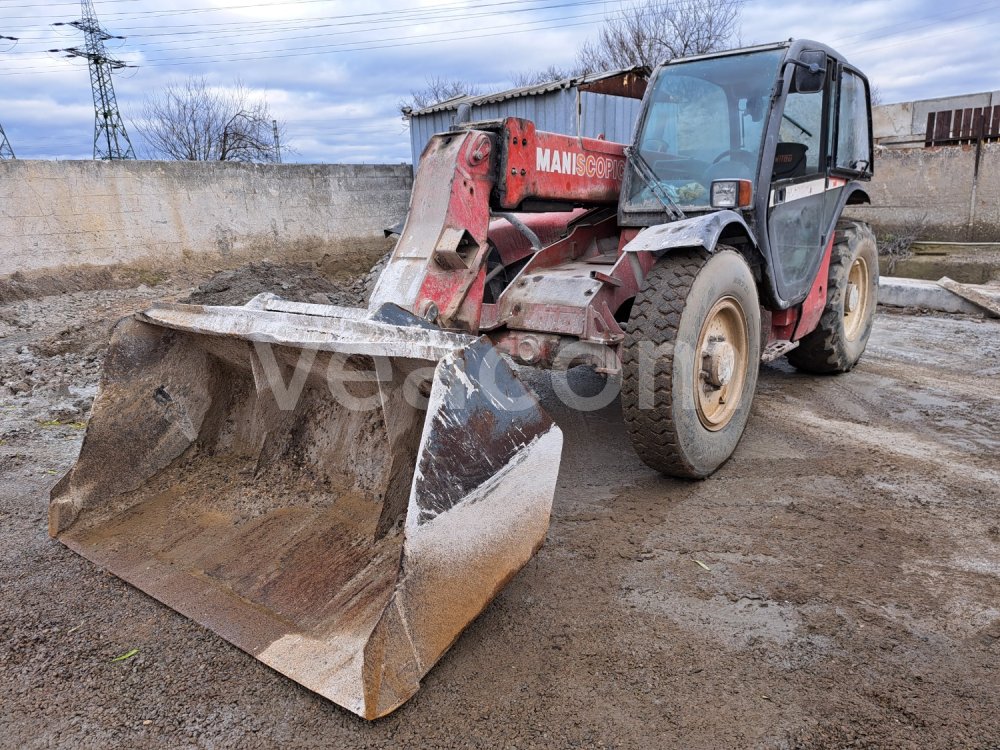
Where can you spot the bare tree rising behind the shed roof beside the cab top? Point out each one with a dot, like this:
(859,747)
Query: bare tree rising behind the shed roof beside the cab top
(650,32)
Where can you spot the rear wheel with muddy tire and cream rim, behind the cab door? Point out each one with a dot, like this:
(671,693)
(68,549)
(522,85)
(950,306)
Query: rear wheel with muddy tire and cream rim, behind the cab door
(846,323)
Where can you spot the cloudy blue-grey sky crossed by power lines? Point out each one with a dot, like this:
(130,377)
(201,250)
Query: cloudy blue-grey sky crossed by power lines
(336,71)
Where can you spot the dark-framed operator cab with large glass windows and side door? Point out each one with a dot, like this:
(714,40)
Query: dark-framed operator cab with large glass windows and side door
(780,133)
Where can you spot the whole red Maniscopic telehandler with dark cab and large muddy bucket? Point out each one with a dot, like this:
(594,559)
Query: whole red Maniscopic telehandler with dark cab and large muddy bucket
(341,491)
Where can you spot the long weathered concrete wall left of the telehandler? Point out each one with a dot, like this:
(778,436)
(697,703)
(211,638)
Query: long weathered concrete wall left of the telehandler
(55,214)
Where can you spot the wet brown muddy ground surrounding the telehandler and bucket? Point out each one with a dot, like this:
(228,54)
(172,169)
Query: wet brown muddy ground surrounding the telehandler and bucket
(836,584)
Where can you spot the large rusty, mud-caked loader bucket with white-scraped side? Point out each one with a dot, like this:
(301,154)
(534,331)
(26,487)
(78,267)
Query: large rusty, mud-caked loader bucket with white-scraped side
(337,492)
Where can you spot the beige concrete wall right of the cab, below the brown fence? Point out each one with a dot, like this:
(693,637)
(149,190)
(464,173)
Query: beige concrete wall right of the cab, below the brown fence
(940,187)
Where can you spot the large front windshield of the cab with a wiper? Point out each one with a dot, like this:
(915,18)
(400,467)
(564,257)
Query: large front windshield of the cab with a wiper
(705,122)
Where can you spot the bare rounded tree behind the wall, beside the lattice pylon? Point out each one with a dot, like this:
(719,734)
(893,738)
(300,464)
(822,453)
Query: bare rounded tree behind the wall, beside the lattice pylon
(192,120)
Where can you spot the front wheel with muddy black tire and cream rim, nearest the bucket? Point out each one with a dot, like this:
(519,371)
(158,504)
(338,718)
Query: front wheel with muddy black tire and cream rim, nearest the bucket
(690,360)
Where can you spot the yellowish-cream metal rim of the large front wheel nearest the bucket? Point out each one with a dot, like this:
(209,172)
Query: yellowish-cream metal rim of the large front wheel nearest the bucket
(720,369)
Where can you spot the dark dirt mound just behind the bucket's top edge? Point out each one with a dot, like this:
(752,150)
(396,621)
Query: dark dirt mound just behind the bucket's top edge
(299,282)
